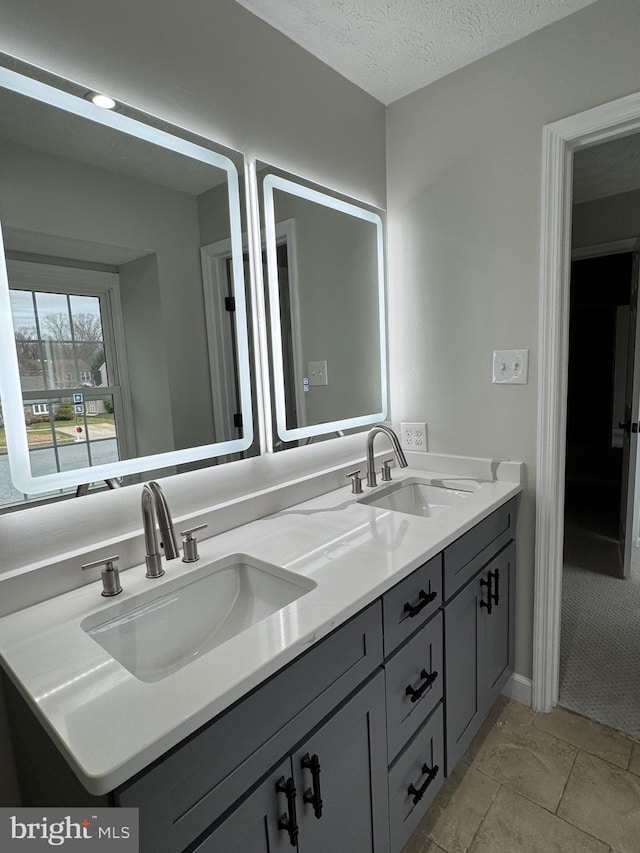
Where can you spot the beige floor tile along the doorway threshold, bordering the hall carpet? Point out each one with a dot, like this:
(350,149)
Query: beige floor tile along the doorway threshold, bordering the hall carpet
(586,734)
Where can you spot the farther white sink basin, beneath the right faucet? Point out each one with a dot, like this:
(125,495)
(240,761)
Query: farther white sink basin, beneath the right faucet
(419,497)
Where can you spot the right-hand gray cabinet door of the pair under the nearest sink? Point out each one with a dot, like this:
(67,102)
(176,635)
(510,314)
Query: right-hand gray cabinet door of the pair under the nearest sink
(340,775)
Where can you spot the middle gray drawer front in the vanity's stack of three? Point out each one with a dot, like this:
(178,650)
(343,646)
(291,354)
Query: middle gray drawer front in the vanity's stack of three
(414,681)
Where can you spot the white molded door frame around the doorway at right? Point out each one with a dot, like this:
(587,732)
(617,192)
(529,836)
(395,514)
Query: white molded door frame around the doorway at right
(560,139)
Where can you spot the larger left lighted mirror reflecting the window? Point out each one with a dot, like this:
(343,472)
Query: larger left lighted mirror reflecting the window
(123,313)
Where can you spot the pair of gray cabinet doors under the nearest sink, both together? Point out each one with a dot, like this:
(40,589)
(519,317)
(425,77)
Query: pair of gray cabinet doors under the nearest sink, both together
(328,794)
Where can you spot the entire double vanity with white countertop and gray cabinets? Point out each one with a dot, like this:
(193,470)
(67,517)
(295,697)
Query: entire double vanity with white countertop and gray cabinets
(329,724)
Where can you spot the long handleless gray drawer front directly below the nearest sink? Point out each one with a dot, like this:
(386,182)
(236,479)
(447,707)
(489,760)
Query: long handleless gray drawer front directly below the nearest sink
(181,795)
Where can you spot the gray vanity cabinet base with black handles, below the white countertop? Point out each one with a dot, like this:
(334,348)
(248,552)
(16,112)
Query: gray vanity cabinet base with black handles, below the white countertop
(344,748)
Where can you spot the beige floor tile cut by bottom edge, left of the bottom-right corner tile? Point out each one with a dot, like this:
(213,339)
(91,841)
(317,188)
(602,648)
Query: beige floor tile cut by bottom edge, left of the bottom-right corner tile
(515,825)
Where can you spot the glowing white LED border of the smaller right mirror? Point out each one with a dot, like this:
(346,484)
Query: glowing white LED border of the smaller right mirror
(272,182)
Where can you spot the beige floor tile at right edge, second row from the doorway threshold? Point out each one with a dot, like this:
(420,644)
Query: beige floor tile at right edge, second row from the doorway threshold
(604,801)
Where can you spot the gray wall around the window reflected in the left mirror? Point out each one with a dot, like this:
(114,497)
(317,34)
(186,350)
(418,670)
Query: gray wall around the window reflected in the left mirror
(164,328)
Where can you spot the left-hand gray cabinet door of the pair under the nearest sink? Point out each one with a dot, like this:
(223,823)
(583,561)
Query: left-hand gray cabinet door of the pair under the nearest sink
(253,826)
